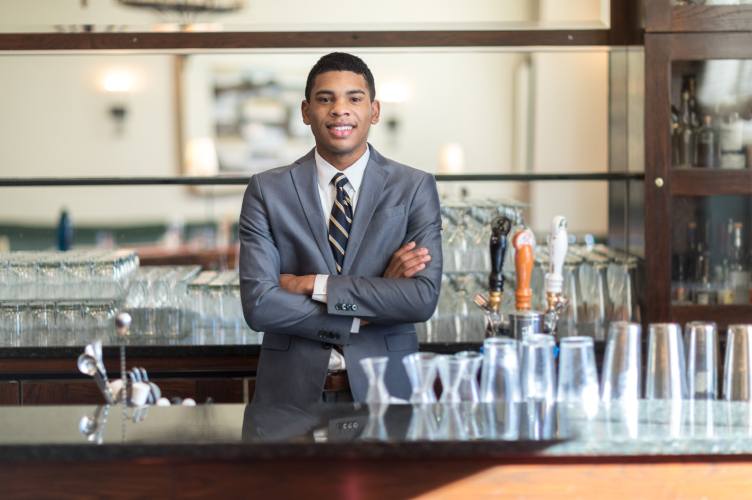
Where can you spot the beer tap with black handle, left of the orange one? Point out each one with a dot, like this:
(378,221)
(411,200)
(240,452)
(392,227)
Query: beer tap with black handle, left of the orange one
(500,228)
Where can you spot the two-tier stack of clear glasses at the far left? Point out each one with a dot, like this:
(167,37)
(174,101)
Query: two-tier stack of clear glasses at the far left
(50,298)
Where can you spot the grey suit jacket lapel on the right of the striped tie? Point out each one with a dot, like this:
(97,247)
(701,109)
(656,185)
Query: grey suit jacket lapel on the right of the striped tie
(374,180)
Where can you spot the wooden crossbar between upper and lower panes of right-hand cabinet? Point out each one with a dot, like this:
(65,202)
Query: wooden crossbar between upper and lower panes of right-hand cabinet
(711,182)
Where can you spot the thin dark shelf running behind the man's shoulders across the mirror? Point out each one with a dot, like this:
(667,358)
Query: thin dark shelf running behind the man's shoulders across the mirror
(243,180)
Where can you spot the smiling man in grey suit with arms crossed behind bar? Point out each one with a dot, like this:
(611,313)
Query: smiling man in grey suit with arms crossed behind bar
(340,252)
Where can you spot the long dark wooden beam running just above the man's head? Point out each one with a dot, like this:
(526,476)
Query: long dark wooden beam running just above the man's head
(97,42)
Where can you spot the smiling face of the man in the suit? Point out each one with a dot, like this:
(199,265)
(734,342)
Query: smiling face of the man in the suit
(340,112)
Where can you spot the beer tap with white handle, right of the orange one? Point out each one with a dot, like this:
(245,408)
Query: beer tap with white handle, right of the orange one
(557,250)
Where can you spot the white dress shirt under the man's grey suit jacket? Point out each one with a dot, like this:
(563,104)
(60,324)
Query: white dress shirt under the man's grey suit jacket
(325,172)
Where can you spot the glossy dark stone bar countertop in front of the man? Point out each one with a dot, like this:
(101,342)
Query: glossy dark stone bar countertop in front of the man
(644,428)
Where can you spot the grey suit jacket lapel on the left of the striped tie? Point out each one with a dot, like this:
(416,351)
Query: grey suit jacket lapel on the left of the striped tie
(304,178)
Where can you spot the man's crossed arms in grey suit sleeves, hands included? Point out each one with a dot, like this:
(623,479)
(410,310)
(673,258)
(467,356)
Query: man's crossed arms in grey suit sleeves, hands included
(406,293)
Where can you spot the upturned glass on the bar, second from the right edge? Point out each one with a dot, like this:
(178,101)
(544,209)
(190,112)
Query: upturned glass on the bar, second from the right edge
(701,342)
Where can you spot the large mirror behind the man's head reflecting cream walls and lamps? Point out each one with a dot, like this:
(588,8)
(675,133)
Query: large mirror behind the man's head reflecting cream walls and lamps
(449,111)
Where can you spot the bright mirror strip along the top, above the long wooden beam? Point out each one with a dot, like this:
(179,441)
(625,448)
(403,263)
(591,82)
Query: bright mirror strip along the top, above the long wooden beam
(296,15)
